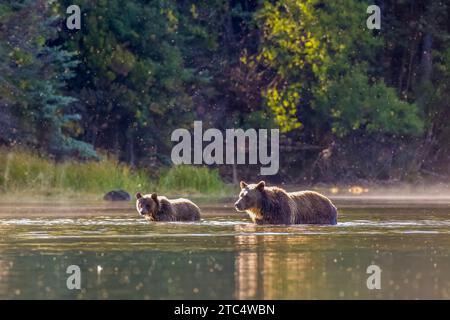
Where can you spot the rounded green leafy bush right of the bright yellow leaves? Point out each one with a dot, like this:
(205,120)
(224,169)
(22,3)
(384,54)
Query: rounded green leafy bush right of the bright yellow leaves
(355,104)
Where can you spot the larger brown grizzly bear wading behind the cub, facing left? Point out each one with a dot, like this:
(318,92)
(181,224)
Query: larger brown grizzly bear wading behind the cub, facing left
(273,205)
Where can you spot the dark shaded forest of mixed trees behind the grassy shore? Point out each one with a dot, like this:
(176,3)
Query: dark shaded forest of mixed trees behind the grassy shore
(352,104)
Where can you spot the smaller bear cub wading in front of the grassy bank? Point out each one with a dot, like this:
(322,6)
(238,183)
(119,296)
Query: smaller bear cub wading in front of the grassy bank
(155,208)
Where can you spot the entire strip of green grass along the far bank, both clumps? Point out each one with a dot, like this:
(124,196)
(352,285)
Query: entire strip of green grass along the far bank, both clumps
(38,176)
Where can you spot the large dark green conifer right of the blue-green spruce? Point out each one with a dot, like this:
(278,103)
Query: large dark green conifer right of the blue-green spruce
(132,77)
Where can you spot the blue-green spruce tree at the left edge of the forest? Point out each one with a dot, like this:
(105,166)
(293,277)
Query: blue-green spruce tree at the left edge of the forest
(34,77)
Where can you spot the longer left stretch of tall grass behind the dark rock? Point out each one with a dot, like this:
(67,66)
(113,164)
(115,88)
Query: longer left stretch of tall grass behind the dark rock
(23,171)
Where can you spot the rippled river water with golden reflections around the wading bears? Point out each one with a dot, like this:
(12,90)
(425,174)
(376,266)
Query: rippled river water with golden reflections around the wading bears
(223,256)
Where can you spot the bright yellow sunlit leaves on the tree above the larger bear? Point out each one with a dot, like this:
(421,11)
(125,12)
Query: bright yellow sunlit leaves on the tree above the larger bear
(292,49)
